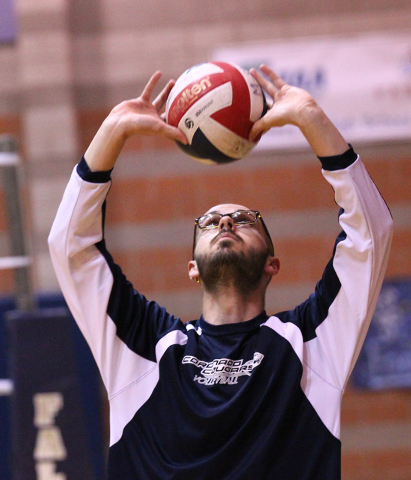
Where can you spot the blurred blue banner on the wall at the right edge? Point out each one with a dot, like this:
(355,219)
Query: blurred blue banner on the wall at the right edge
(385,359)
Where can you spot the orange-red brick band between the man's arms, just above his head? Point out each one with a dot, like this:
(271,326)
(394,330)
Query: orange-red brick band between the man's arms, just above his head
(157,198)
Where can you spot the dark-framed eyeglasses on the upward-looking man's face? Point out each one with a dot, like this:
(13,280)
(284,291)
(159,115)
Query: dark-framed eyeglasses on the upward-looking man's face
(239,217)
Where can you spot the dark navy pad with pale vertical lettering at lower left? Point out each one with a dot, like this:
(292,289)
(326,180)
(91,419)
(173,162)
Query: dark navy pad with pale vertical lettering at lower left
(51,438)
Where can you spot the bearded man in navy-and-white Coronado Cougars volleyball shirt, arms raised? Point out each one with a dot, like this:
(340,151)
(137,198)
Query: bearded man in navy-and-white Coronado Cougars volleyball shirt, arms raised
(236,394)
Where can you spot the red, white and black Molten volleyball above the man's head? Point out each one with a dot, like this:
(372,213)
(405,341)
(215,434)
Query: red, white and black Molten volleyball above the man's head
(215,104)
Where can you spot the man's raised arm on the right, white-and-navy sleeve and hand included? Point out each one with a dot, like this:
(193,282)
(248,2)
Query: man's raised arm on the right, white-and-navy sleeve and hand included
(334,320)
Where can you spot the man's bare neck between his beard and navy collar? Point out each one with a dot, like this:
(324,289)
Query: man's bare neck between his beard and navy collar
(229,306)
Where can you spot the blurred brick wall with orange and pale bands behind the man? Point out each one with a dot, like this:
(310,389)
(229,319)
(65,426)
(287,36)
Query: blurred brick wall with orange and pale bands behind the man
(75,60)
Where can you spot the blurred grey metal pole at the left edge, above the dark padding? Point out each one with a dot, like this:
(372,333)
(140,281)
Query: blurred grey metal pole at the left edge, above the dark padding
(19,261)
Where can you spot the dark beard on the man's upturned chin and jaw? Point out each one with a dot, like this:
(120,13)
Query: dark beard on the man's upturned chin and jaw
(227,268)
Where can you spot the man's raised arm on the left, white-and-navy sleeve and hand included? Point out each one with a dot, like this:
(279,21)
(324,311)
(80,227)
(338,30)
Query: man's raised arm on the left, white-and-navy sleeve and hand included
(85,270)
